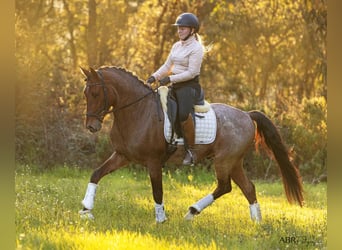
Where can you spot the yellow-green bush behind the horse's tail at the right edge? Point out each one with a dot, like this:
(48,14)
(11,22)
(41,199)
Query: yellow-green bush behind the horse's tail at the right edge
(305,130)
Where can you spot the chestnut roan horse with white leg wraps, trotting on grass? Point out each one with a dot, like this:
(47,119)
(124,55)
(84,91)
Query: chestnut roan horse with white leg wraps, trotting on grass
(137,135)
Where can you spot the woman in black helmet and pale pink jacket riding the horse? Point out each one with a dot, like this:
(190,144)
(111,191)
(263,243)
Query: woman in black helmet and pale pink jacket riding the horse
(184,63)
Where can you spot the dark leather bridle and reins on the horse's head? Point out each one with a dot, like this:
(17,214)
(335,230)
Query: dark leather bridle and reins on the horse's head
(106,107)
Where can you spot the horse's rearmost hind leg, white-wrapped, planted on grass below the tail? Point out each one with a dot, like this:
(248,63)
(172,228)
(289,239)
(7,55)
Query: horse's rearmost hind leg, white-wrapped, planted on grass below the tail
(248,189)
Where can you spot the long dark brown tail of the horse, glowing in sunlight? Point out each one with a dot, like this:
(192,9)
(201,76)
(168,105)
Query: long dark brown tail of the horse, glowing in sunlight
(269,136)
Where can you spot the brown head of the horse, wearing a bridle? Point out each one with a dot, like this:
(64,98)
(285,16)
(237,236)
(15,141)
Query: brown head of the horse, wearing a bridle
(96,94)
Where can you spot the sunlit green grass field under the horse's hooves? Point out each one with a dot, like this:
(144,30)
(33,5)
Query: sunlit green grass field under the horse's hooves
(47,217)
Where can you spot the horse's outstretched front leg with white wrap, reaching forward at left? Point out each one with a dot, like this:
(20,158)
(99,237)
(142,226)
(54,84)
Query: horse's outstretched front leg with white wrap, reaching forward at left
(114,162)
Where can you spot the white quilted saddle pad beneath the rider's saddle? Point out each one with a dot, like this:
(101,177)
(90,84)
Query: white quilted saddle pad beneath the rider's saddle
(205,132)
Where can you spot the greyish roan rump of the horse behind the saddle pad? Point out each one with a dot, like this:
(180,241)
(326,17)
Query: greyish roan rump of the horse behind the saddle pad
(235,129)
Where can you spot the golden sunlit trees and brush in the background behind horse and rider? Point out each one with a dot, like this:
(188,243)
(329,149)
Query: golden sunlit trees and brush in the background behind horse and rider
(266,55)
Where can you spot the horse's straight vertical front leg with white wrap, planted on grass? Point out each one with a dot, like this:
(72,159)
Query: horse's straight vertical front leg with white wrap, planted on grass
(155,171)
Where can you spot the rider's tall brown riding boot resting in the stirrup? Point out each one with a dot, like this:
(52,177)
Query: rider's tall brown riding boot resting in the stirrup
(188,129)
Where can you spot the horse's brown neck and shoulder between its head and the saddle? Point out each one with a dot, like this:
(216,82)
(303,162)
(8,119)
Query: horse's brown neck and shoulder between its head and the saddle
(135,115)
